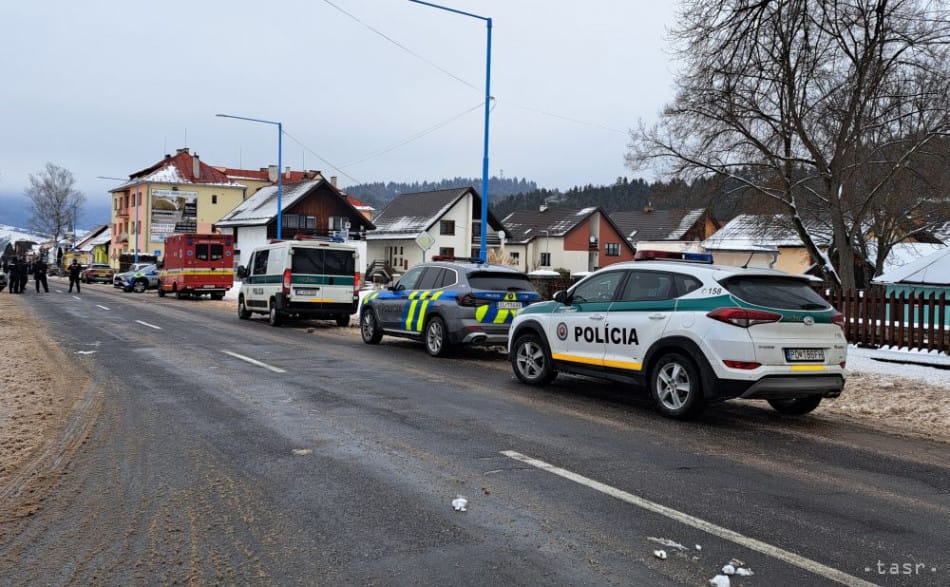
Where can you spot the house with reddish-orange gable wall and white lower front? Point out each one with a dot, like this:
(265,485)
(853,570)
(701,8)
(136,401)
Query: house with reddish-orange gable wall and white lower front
(578,240)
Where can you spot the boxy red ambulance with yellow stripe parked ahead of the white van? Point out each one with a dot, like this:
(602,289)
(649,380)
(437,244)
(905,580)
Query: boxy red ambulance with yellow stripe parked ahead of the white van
(197,264)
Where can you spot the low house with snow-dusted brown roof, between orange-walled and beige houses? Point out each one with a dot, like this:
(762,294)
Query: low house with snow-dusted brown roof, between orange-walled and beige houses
(666,229)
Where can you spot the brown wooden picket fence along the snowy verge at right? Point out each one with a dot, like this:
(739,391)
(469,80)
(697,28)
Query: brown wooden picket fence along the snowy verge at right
(913,321)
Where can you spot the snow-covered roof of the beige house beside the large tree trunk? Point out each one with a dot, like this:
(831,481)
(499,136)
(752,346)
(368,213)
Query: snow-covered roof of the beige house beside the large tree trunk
(748,232)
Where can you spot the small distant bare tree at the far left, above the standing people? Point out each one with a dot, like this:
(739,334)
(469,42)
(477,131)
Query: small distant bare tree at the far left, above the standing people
(54,200)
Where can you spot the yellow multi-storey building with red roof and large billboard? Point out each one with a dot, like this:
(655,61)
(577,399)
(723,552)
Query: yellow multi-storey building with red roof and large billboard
(180,193)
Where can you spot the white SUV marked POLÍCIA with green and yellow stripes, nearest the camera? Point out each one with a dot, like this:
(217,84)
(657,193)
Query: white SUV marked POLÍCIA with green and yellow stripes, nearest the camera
(690,332)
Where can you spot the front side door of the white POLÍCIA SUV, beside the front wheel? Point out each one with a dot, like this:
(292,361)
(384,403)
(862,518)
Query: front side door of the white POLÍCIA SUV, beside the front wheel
(577,329)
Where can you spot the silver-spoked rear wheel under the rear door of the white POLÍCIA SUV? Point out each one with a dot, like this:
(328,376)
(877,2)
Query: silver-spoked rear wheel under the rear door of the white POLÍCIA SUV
(676,387)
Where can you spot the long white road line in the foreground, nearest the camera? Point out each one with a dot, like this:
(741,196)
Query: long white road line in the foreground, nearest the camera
(688,520)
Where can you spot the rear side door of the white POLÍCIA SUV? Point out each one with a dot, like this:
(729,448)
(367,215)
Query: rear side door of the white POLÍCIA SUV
(638,318)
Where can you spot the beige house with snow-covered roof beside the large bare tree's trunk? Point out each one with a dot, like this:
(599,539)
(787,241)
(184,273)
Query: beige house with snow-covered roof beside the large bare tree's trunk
(764,241)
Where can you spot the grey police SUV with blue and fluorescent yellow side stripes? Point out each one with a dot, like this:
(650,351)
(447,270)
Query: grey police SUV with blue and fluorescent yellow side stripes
(447,302)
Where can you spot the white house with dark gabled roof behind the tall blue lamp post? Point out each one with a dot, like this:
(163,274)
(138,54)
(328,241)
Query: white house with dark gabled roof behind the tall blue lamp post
(450,218)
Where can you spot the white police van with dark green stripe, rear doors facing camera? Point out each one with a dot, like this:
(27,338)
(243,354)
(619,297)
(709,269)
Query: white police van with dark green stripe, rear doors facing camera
(300,279)
